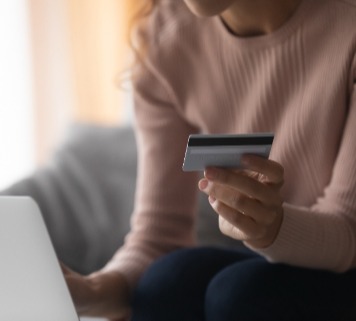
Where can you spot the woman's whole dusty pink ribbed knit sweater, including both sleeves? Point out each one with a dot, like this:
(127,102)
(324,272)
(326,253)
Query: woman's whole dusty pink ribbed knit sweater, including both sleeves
(298,82)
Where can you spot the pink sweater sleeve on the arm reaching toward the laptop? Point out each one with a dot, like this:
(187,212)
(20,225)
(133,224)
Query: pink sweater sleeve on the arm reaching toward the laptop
(166,197)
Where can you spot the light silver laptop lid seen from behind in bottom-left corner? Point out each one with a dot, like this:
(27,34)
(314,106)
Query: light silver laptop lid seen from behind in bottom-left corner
(32,286)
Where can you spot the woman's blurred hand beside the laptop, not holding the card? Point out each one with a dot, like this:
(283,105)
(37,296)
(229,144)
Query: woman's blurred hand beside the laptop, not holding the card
(100,294)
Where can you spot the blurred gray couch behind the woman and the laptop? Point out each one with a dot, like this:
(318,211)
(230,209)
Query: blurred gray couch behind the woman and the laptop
(86,196)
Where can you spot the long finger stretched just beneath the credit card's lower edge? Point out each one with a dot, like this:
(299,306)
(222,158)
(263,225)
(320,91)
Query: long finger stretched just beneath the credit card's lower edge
(243,184)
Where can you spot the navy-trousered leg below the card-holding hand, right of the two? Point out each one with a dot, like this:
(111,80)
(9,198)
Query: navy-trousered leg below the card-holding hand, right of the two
(257,290)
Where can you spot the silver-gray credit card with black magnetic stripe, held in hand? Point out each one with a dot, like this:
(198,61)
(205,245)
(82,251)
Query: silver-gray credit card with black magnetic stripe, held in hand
(206,150)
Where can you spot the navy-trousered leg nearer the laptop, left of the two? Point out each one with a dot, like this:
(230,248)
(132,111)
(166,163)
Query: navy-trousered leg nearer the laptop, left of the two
(180,279)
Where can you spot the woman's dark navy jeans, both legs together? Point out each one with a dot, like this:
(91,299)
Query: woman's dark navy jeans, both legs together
(211,284)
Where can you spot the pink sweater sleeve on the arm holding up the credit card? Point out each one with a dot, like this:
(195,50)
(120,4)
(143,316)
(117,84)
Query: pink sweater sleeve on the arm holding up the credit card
(323,236)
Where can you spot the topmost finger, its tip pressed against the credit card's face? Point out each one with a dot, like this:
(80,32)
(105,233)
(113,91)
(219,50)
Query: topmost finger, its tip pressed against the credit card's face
(272,171)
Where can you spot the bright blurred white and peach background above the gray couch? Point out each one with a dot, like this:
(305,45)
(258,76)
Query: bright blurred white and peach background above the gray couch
(60,62)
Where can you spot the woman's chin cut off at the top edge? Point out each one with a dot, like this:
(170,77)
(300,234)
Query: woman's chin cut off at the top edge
(208,8)
